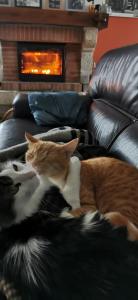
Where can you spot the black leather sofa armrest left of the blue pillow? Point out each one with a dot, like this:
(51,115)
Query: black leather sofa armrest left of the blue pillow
(21,107)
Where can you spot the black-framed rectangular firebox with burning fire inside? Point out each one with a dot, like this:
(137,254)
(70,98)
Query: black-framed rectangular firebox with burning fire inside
(41,62)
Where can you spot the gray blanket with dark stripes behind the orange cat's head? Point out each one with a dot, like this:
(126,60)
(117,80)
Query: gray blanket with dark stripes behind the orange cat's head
(63,134)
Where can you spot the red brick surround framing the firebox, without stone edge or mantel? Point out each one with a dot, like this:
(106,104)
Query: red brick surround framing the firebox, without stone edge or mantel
(72,37)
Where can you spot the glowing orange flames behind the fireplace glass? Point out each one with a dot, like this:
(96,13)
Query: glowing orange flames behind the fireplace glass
(42,63)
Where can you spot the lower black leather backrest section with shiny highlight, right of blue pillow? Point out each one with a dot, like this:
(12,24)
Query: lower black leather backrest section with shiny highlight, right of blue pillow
(106,122)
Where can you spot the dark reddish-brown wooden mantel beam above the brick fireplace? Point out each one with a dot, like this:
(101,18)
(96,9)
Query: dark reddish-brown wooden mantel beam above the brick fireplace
(23,15)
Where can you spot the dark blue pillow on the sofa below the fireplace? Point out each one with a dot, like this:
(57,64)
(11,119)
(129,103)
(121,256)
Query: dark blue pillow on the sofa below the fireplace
(59,108)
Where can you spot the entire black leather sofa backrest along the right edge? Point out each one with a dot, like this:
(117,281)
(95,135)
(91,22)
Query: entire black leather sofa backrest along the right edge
(113,115)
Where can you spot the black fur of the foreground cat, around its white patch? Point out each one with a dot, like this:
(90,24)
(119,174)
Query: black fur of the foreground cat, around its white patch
(97,264)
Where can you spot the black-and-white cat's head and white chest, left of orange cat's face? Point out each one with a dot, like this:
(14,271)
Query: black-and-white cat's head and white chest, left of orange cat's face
(23,193)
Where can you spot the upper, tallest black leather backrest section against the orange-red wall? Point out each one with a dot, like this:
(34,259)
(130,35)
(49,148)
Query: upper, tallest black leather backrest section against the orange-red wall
(116,79)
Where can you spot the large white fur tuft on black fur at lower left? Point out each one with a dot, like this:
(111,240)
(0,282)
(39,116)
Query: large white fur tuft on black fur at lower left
(27,258)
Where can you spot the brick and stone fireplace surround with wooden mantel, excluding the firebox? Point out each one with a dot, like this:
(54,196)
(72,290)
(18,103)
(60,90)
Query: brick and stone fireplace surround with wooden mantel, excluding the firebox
(74,29)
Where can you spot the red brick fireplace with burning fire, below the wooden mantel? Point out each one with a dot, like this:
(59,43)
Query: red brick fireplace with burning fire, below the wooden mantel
(24,42)
